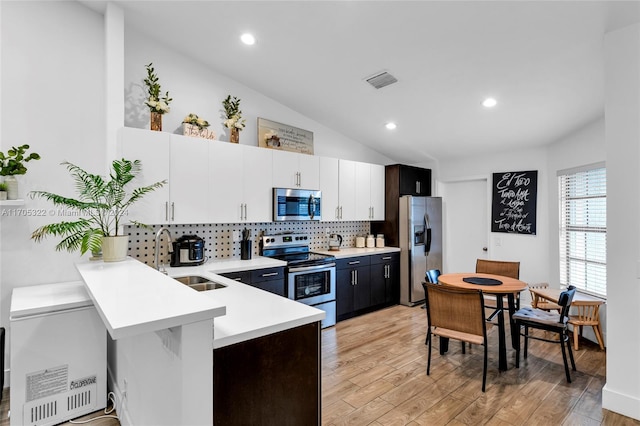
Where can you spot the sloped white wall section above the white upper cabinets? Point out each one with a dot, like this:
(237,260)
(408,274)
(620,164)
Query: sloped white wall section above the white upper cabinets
(201,90)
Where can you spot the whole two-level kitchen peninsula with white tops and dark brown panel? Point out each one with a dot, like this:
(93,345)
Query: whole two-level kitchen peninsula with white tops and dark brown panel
(163,334)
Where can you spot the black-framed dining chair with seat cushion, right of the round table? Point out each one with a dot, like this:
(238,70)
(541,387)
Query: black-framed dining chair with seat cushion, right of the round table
(534,318)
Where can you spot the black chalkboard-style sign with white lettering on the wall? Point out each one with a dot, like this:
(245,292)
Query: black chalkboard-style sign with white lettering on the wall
(513,209)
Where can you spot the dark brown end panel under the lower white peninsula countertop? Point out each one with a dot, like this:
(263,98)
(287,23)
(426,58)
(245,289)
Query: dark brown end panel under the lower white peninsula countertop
(271,380)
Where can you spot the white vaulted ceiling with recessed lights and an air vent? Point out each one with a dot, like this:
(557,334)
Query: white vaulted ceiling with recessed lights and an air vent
(541,60)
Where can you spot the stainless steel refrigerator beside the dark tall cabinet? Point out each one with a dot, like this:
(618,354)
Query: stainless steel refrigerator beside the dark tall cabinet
(420,228)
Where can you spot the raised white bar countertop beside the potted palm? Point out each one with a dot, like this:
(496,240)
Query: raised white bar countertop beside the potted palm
(133,298)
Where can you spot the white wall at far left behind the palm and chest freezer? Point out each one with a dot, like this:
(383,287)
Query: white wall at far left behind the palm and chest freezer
(53,100)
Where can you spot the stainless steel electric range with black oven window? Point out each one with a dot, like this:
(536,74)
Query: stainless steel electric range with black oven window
(311,277)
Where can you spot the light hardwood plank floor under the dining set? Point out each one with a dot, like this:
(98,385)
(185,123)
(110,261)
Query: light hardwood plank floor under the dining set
(374,373)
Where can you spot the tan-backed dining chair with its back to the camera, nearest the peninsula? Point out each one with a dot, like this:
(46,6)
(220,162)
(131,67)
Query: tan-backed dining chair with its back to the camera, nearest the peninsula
(458,314)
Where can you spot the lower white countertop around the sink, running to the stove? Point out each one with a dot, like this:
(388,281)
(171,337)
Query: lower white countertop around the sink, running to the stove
(251,312)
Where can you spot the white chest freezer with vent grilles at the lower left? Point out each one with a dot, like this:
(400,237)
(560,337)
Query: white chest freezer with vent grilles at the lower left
(58,354)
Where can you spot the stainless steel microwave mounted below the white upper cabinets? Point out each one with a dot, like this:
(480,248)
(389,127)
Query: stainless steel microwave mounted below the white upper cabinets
(296,204)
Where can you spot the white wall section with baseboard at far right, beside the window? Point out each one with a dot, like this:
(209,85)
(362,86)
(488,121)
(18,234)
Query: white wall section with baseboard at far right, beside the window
(622,110)
